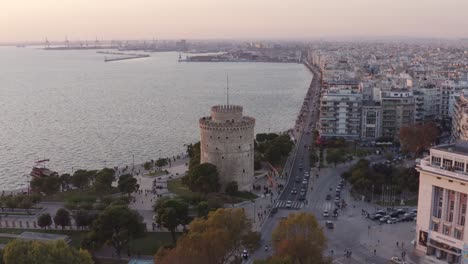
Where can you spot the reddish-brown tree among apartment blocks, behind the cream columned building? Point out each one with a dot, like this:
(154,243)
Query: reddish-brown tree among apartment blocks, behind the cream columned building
(417,138)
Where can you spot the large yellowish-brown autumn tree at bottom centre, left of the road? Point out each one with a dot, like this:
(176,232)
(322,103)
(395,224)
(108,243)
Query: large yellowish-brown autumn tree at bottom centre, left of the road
(216,239)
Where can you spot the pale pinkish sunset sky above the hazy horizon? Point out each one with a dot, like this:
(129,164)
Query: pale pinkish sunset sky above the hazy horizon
(25,20)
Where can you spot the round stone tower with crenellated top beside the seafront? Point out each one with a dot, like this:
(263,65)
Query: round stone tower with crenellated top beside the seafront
(227,141)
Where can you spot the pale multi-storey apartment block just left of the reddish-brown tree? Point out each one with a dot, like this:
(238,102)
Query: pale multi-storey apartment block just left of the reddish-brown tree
(397,111)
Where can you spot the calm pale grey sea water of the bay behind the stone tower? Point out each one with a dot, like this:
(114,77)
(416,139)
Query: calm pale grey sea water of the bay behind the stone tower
(80,112)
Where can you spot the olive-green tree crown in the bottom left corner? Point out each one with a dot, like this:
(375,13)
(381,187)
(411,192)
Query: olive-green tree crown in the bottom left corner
(37,252)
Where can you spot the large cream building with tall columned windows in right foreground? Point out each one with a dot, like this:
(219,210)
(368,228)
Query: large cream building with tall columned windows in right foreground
(443,190)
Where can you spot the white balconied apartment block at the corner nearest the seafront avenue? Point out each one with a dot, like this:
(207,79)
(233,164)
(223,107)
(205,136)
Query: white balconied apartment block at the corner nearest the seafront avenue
(340,113)
